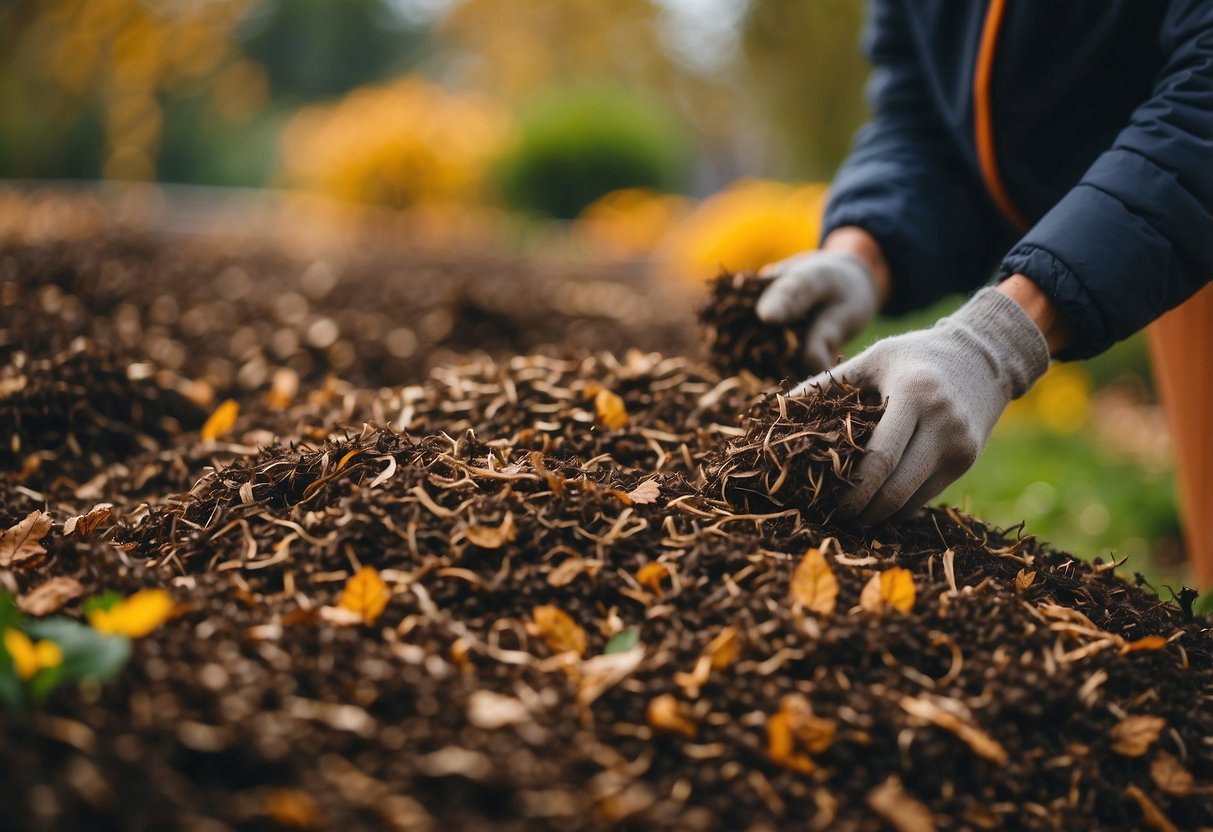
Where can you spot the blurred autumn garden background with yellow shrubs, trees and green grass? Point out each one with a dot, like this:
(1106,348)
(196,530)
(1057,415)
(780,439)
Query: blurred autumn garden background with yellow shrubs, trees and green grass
(686,135)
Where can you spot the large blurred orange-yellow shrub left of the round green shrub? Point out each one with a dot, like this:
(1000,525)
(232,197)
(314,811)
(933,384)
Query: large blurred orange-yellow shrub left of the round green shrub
(401,145)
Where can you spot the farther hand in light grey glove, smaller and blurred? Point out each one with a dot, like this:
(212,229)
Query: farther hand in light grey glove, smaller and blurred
(833,292)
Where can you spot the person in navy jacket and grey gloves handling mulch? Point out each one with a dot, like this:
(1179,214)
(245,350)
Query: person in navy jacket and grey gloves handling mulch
(1063,149)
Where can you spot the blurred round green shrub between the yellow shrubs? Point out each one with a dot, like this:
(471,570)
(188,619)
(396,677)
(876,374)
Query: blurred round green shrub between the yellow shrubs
(577,146)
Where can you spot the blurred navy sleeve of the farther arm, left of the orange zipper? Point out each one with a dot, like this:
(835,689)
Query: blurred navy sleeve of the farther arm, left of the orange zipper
(906,183)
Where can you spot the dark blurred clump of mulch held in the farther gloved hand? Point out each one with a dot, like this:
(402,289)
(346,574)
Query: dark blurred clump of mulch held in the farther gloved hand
(738,340)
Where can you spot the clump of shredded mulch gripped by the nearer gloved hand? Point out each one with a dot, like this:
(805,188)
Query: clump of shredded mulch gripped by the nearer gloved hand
(798,453)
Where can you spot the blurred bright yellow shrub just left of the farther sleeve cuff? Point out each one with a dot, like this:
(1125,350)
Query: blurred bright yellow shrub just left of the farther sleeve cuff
(748,225)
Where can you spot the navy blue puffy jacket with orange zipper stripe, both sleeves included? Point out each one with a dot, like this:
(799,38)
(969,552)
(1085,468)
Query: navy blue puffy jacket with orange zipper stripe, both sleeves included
(1101,115)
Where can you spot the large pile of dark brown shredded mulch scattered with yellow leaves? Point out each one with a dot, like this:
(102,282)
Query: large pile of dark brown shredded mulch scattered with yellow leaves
(619,597)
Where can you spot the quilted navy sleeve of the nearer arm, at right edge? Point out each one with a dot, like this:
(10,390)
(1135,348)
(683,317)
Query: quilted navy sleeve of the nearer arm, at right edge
(1135,237)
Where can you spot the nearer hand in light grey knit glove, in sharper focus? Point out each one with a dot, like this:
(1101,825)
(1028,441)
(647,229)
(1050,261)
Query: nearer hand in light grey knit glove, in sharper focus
(946,387)
